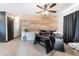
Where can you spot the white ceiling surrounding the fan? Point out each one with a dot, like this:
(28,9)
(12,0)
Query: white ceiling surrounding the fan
(24,9)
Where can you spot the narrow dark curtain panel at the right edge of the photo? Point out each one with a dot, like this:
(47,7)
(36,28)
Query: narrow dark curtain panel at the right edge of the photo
(76,38)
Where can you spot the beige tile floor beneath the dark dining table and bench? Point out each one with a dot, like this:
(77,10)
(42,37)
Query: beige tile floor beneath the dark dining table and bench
(17,47)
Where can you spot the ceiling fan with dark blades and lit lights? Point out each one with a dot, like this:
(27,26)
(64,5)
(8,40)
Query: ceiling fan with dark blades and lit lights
(46,8)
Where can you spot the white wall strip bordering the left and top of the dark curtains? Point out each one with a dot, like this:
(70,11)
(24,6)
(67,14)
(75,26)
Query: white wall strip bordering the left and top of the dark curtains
(68,11)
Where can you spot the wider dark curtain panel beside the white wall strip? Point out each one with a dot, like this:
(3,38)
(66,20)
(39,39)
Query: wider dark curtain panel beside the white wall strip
(69,27)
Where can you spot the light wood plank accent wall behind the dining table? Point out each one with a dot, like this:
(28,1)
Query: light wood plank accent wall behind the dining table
(34,23)
